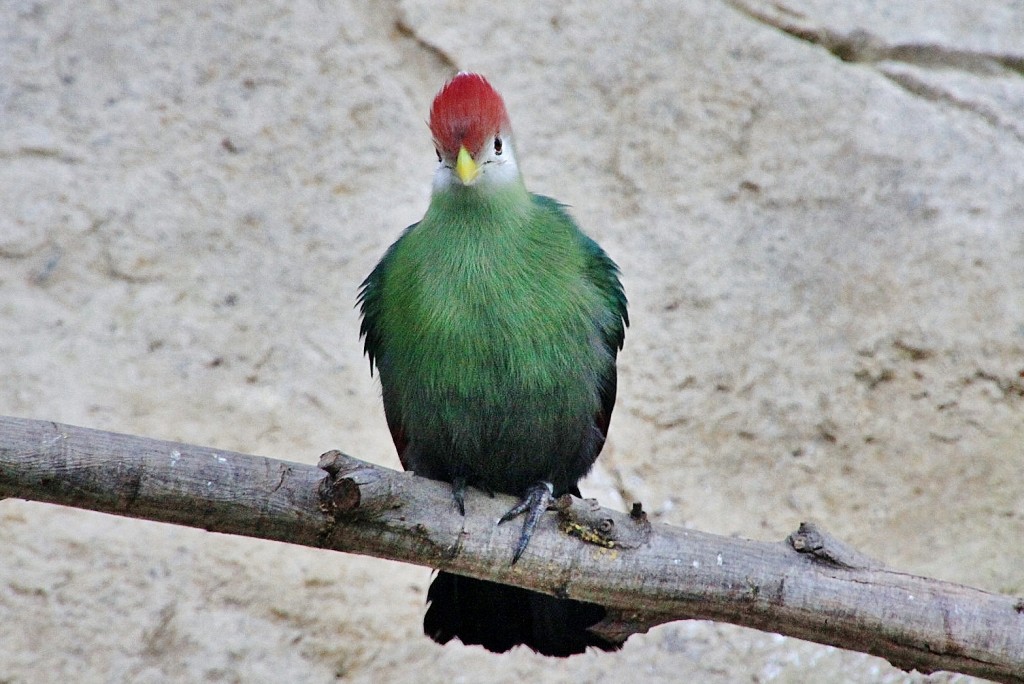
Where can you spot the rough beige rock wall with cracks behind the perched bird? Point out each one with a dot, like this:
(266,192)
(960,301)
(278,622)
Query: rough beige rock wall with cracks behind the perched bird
(824,259)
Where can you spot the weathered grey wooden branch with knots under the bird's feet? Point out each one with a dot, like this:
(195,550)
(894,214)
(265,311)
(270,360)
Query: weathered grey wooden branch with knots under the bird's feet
(810,586)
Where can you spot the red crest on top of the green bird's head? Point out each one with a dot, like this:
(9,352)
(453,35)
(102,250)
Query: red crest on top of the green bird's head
(467,113)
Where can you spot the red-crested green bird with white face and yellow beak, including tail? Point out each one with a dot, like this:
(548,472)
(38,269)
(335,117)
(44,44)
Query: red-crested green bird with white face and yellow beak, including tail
(495,324)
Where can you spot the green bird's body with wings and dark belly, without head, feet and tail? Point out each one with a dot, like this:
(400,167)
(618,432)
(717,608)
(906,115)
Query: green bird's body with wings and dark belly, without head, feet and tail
(495,324)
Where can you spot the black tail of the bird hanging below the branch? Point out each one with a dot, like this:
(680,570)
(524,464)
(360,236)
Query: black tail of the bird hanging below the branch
(498,618)
